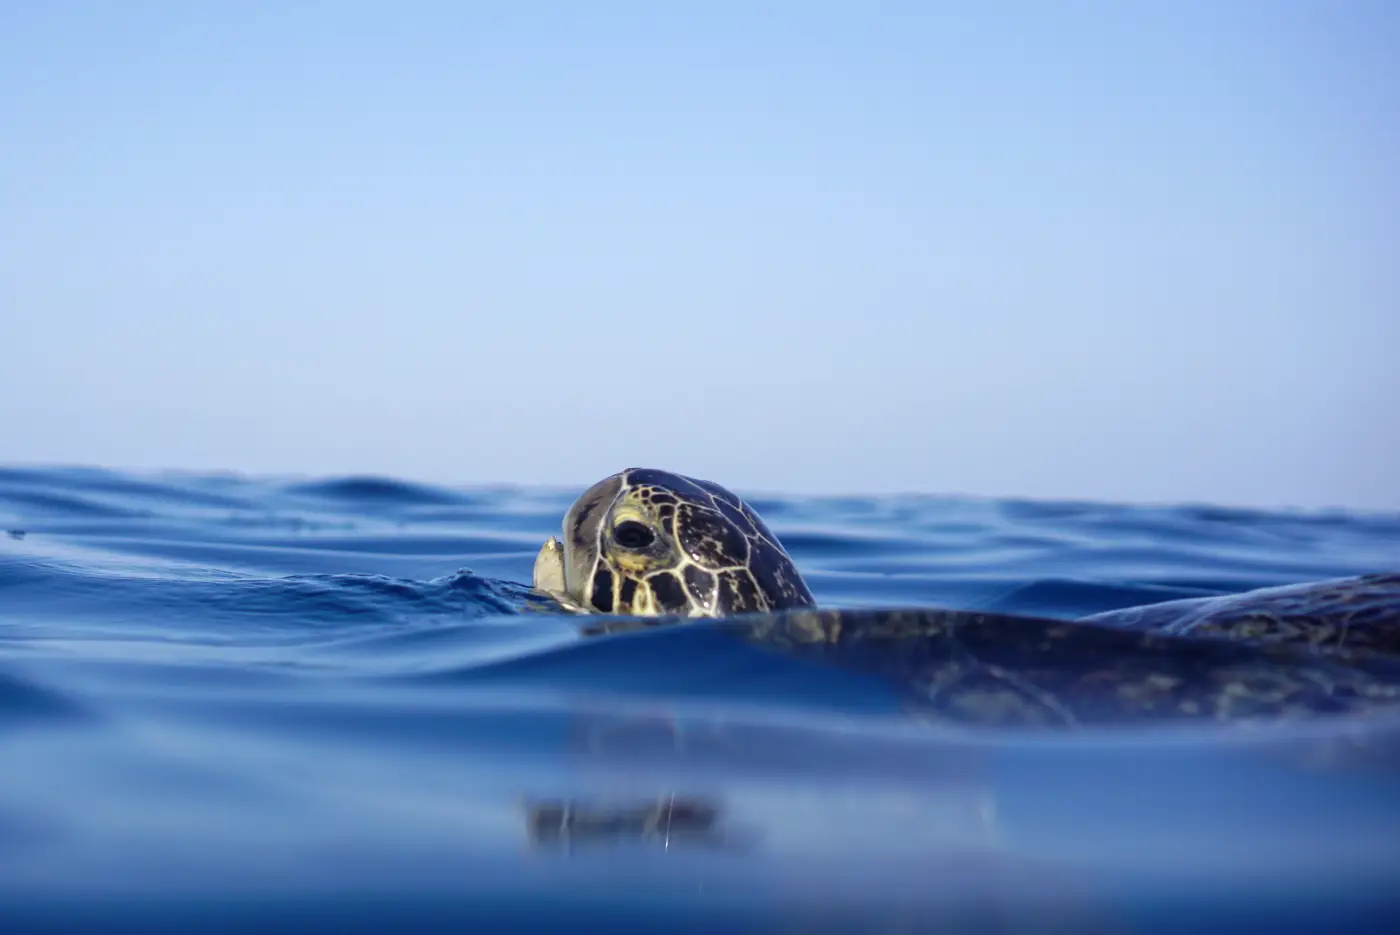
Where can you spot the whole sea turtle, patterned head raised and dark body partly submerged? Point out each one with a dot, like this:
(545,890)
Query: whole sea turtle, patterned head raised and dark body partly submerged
(650,548)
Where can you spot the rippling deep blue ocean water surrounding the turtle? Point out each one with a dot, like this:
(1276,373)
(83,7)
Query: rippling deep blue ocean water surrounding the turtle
(290,705)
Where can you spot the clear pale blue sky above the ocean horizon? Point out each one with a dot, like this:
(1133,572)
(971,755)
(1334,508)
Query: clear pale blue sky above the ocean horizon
(1115,251)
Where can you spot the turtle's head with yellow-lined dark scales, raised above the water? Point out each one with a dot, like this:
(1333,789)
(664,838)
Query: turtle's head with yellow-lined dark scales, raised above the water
(649,542)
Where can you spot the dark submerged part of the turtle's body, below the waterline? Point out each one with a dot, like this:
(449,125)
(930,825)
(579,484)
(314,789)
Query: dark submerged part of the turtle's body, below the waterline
(986,670)
